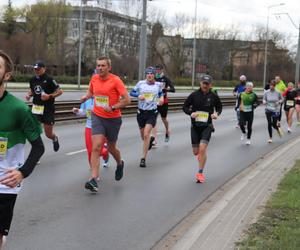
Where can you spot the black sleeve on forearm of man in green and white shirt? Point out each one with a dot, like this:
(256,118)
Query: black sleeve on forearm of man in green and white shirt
(37,150)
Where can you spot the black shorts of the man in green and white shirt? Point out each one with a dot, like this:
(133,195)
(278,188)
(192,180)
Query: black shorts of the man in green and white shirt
(7,204)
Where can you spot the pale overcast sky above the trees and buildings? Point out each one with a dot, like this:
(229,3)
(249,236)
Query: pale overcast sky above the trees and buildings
(227,12)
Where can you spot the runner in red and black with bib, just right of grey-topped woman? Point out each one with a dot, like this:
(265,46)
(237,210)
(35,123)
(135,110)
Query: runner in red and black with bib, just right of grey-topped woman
(289,104)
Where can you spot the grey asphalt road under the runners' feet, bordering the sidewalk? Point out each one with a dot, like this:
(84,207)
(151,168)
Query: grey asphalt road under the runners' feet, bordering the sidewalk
(53,211)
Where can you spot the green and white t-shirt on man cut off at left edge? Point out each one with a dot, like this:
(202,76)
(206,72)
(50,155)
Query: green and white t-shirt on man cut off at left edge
(16,125)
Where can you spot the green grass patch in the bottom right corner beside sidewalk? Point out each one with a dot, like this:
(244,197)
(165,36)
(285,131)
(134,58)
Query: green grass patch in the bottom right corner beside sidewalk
(279,224)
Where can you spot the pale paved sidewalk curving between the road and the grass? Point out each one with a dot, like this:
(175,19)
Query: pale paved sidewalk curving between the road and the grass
(220,221)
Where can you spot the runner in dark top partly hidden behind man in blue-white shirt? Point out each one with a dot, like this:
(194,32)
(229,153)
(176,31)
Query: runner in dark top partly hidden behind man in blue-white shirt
(163,109)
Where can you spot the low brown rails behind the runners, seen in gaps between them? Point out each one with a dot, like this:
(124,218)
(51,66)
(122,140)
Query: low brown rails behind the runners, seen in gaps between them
(63,109)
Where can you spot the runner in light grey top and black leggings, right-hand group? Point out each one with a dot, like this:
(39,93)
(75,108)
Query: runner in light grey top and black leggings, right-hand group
(273,99)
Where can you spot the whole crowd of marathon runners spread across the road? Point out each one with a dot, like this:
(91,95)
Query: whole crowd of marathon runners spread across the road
(102,104)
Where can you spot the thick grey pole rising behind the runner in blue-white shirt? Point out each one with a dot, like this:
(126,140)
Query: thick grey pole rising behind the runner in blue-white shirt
(143,42)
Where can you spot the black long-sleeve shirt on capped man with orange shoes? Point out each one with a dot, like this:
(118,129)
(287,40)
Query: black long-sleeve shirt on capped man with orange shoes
(199,101)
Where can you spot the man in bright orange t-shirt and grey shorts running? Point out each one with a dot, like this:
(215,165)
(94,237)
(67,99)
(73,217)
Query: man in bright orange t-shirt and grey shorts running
(110,95)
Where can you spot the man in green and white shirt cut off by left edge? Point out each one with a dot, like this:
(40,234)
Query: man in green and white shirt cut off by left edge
(19,124)
